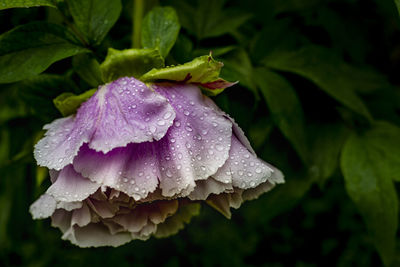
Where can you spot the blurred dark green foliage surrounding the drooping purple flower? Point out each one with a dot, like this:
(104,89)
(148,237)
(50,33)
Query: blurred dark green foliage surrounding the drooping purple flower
(318,96)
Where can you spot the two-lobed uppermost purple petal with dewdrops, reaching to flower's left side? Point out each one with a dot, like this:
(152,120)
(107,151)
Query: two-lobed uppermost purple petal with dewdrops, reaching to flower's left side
(122,112)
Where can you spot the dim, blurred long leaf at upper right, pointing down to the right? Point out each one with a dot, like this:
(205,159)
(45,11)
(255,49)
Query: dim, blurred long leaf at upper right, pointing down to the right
(332,75)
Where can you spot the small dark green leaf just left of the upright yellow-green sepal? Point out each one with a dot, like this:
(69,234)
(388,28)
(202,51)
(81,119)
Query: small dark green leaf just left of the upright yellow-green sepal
(88,68)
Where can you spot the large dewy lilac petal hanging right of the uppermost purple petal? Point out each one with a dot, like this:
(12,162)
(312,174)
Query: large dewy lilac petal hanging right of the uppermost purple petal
(196,146)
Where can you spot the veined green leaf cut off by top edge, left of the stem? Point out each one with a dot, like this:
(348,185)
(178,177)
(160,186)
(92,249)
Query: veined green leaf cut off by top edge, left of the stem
(94,18)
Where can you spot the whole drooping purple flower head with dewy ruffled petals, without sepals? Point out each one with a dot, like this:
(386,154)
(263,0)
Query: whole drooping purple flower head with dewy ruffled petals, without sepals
(135,161)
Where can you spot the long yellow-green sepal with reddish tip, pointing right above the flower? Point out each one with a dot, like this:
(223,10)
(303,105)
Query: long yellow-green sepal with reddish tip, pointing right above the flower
(203,71)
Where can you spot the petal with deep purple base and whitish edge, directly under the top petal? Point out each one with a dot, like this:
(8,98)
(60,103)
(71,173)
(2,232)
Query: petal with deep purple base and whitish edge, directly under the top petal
(132,169)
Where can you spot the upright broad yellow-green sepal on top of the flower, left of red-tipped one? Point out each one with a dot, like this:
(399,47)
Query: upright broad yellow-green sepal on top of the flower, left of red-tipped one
(129,62)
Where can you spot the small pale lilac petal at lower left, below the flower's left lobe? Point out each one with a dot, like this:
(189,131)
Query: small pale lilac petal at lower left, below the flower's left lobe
(70,186)
